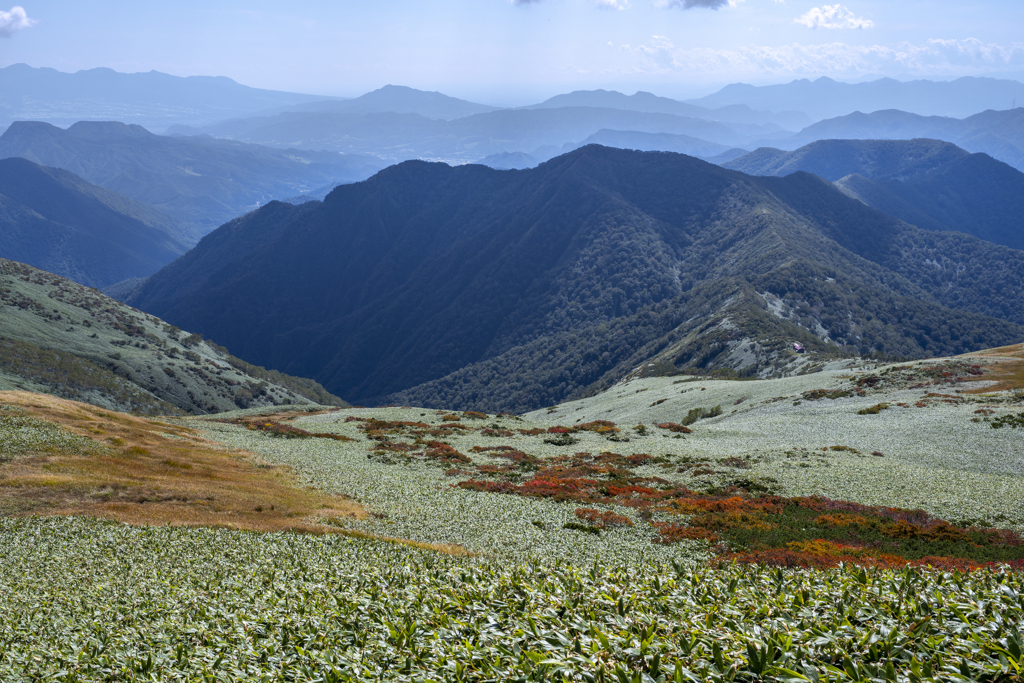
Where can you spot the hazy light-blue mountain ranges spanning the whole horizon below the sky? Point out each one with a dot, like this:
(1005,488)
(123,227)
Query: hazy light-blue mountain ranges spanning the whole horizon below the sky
(397,123)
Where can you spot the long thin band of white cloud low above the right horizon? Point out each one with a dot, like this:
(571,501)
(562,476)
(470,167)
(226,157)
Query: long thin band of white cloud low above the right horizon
(931,59)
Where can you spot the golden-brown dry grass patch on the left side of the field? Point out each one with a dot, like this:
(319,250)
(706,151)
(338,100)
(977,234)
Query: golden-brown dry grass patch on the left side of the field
(150,473)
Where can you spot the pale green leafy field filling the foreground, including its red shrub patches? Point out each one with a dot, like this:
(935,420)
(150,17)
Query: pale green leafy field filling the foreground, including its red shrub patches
(858,524)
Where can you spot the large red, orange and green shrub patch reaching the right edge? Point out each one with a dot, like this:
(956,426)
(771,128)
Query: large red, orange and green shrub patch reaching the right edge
(744,523)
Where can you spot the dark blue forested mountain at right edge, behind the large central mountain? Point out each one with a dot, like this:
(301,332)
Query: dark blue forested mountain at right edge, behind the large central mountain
(930,184)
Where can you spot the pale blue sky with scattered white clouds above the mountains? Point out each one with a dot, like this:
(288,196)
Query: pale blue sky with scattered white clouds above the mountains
(516,52)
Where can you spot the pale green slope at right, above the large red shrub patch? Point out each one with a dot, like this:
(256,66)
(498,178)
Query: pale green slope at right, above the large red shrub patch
(934,457)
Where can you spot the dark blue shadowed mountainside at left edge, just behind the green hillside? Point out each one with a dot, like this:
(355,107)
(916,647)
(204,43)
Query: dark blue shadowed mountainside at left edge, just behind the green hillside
(54,220)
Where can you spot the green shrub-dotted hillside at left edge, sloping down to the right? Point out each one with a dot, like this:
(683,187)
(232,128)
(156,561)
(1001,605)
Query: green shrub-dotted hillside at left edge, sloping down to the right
(72,341)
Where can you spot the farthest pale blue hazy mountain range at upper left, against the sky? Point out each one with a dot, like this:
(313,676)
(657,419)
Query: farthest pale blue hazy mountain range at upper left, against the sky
(153,100)
